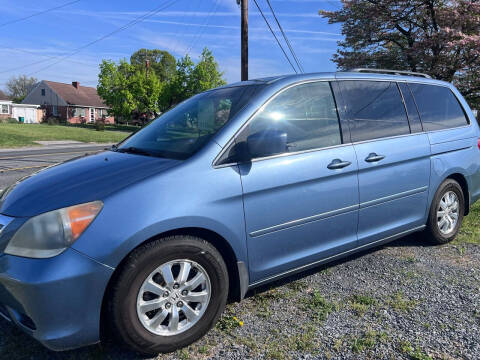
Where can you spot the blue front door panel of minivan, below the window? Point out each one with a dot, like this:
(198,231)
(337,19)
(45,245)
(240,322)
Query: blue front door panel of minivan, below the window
(281,240)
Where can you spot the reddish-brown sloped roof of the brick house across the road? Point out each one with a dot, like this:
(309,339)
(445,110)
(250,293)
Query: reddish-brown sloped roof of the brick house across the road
(81,95)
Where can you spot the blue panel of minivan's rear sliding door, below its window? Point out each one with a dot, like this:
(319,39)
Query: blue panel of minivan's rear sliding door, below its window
(388,207)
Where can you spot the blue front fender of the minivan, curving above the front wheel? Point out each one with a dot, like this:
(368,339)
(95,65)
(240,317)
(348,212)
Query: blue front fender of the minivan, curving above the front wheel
(210,200)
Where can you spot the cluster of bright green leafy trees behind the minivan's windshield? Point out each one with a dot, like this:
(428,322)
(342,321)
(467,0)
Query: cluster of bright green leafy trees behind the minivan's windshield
(129,87)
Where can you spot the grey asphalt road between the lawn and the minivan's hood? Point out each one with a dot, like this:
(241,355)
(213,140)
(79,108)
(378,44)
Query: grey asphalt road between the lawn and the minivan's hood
(16,164)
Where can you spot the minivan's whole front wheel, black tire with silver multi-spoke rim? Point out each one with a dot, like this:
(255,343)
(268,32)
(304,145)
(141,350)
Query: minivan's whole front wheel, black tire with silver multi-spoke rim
(126,315)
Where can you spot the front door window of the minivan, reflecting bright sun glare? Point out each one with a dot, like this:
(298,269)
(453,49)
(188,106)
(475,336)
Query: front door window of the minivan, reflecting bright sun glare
(305,113)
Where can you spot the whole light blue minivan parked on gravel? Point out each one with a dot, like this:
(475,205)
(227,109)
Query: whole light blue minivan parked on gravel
(229,190)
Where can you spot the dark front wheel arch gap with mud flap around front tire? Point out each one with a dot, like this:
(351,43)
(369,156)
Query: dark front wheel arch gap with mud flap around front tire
(237,270)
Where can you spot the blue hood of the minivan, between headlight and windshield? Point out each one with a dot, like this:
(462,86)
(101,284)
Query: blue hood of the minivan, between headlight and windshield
(81,180)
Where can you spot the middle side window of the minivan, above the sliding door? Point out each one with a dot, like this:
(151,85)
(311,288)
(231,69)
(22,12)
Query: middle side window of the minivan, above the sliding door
(374,109)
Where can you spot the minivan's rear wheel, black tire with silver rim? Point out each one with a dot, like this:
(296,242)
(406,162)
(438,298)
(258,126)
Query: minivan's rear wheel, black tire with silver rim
(437,232)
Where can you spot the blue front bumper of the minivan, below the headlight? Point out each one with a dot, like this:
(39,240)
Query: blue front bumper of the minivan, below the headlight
(58,301)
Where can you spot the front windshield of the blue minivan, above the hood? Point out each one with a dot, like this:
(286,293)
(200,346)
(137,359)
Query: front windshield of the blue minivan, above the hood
(182,131)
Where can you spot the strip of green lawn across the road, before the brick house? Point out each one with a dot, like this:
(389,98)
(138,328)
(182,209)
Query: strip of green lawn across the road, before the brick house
(17,135)
